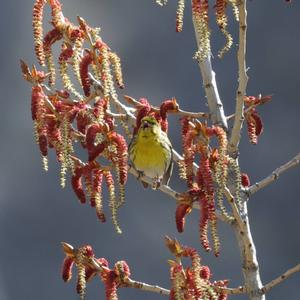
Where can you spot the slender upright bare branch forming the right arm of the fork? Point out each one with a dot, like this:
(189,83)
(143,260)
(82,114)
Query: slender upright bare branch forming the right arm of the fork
(243,80)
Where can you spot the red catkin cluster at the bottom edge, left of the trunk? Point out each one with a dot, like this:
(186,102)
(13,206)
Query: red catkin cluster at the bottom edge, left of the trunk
(194,281)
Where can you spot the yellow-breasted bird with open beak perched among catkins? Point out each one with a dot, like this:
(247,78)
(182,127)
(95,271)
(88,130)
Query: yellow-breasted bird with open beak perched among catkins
(150,152)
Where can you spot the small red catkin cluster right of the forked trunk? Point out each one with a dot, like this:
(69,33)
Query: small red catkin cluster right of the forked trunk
(254,122)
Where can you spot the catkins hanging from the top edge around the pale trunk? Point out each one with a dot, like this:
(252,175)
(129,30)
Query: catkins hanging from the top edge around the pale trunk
(200,12)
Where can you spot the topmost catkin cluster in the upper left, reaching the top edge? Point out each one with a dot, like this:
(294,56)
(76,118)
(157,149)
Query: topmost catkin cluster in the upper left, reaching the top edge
(74,38)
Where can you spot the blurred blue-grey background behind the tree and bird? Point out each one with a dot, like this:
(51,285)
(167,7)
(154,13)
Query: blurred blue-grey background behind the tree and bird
(36,214)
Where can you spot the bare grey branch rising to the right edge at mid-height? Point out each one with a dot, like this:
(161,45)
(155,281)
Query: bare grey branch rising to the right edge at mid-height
(274,175)
